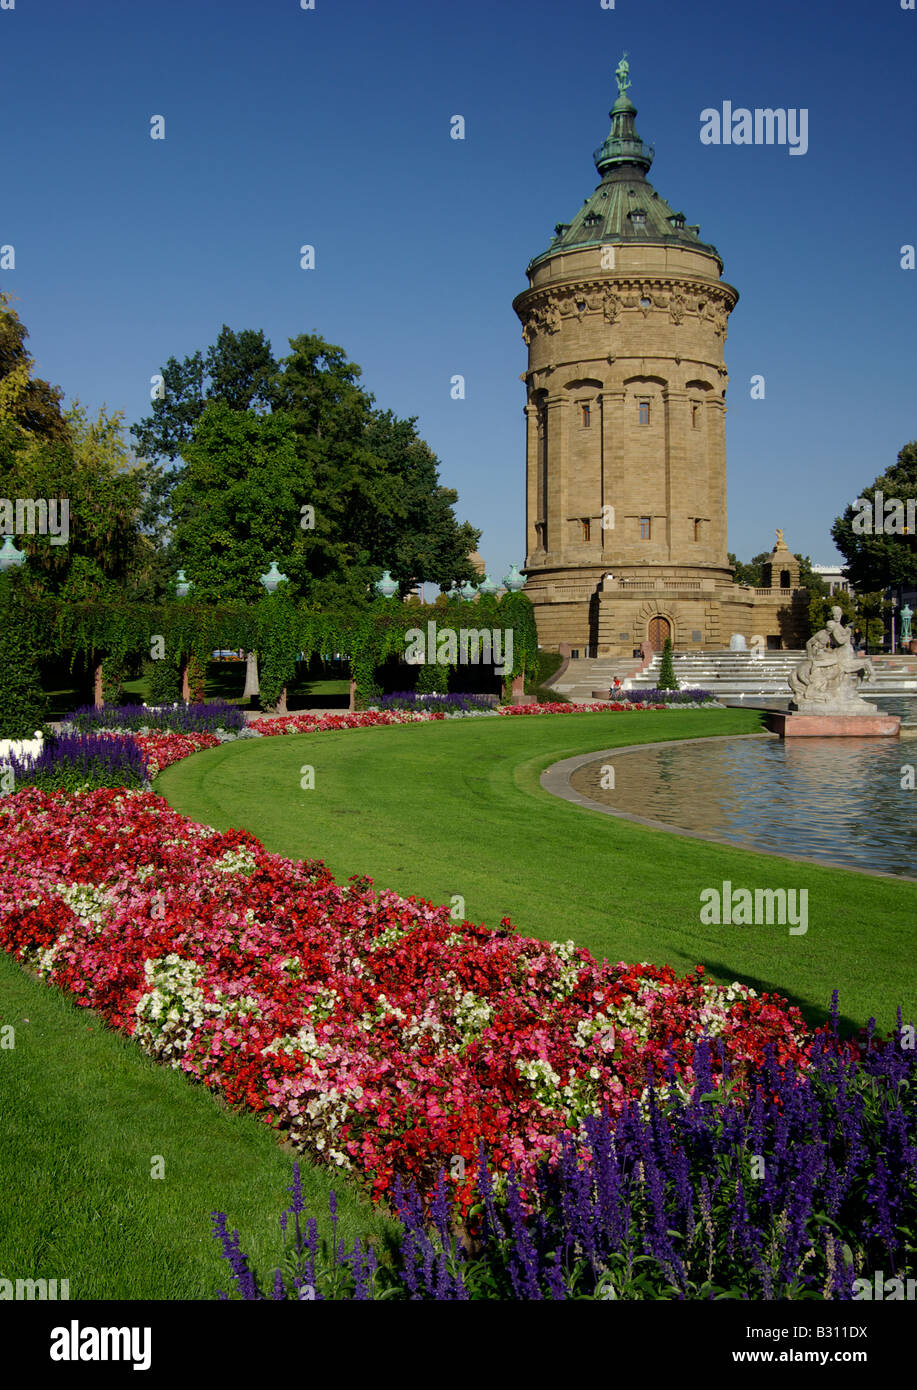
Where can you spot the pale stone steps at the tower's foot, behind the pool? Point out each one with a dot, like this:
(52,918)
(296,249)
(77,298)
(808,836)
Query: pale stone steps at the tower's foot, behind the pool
(723,673)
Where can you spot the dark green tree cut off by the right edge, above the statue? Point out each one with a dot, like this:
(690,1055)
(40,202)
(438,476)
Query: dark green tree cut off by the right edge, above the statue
(890,558)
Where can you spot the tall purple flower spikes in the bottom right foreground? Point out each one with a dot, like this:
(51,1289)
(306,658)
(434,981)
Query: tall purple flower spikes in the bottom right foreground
(800,1192)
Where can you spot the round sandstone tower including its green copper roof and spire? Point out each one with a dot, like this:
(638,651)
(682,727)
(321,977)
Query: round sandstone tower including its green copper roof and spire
(626,320)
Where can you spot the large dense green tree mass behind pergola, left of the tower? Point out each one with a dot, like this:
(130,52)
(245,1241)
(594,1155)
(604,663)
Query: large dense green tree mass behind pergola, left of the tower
(355,490)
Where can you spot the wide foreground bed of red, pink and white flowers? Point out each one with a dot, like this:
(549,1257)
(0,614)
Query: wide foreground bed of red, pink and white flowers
(377,1032)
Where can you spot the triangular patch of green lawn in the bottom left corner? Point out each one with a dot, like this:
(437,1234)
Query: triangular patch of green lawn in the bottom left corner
(83,1117)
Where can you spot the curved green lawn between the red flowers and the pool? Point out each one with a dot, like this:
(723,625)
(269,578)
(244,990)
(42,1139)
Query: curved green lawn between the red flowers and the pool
(456,808)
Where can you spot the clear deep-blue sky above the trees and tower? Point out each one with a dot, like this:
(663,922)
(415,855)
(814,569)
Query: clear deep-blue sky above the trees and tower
(331,127)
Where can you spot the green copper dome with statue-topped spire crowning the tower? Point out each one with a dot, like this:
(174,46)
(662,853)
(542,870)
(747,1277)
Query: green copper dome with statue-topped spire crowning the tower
(625,208)
